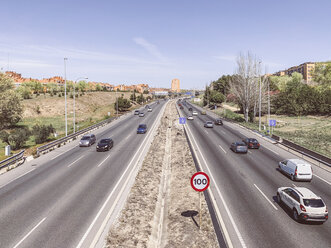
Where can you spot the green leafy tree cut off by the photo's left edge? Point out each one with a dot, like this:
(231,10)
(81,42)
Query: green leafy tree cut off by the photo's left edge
(11,108)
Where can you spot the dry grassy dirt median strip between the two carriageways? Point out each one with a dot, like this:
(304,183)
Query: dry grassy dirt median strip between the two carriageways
(152,216)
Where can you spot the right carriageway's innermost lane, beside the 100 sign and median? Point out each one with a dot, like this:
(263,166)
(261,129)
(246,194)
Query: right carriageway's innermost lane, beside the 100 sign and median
(241,198)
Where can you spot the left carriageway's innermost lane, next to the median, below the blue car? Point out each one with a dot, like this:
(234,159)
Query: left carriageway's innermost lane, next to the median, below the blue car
(88,196)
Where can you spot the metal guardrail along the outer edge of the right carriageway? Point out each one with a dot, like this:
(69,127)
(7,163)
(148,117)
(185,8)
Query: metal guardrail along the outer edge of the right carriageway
(290,145)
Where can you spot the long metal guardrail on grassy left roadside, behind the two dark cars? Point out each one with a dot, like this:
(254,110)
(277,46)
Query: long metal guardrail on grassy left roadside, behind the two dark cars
(72,136)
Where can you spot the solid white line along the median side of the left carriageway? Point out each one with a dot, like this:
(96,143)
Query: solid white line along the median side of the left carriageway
(114,189)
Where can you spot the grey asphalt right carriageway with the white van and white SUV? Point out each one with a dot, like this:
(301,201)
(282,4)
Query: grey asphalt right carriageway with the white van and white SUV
(245,185)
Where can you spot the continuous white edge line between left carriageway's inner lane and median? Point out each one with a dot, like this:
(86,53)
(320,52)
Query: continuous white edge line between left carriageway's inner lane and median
(111,193)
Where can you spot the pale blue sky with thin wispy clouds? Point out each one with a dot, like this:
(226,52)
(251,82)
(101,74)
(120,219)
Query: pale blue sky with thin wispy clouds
(153,42)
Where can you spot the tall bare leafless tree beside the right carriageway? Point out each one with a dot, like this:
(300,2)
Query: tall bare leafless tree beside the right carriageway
(245,84)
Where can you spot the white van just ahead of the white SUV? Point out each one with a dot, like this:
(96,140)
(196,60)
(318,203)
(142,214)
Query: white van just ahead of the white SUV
(297,169)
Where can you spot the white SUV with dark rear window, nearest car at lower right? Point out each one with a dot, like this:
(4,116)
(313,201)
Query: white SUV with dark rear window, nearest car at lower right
(304,204)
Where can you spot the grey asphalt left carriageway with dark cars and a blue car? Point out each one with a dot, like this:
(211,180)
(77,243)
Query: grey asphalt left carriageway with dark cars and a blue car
(61,198)
